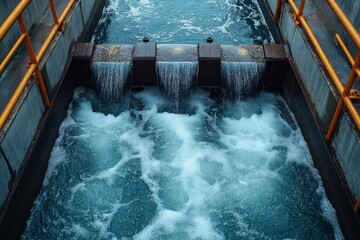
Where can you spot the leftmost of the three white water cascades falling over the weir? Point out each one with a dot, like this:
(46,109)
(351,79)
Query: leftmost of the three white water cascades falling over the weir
(111,80)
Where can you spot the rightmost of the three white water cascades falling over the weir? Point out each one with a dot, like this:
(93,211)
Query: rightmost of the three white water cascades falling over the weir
(241,79)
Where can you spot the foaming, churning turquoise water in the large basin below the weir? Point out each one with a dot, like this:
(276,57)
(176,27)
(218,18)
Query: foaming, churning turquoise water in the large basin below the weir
(238,170)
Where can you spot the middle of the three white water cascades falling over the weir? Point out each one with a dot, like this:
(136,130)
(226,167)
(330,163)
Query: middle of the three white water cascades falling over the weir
(177,80)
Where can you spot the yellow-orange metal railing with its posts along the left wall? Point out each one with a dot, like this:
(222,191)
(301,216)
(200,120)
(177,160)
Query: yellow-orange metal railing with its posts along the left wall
(16,15)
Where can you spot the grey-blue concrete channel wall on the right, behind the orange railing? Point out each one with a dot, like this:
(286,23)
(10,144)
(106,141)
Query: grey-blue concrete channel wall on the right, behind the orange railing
(318,87)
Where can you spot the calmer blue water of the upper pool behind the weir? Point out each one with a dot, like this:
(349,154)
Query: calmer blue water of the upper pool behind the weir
(179,21)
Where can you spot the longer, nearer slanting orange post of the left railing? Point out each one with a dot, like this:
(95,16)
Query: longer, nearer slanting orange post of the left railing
(34,61)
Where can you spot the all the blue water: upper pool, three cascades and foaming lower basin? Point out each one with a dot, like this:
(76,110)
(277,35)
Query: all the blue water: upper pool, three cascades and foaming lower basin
(179,163)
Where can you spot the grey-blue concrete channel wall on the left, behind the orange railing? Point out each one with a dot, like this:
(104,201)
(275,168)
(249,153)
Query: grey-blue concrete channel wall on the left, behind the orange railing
(17,135)
